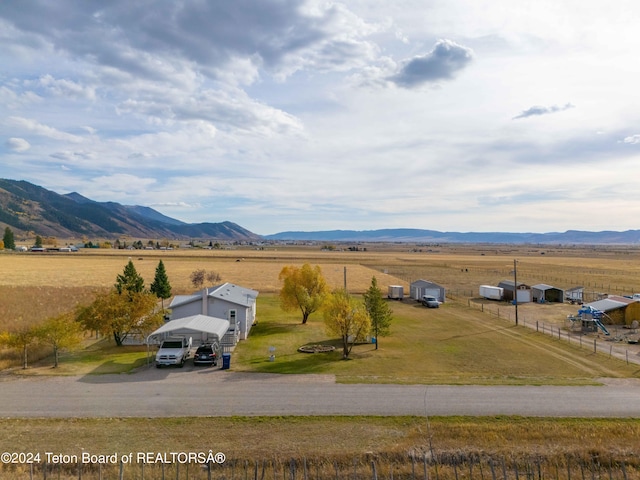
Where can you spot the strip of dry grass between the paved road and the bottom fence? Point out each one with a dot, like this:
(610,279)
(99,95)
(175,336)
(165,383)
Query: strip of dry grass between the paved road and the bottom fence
(333,438)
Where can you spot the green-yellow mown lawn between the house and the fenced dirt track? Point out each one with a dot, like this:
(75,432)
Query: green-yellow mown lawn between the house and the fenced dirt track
(450,345)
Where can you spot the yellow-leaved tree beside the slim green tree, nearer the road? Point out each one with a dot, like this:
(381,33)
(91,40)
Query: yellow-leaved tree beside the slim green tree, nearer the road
(346,317)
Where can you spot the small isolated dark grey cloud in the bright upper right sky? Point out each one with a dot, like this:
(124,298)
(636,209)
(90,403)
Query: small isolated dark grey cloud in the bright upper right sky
(442,63)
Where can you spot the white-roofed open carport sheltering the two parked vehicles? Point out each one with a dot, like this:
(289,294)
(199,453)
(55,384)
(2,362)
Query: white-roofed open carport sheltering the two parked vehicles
(201,329)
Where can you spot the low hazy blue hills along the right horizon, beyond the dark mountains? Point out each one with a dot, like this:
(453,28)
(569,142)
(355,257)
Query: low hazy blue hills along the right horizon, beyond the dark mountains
(412,235)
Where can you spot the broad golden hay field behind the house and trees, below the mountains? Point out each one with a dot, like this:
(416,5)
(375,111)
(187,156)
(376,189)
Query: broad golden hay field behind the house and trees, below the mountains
(35,286)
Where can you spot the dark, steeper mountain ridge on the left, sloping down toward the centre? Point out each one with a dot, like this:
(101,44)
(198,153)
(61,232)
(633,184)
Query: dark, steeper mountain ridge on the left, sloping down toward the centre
(25,207)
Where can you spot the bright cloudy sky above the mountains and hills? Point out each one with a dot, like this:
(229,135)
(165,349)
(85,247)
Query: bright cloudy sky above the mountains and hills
(279,115)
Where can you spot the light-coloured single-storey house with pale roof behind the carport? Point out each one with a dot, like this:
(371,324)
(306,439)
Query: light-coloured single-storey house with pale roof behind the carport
(227,301)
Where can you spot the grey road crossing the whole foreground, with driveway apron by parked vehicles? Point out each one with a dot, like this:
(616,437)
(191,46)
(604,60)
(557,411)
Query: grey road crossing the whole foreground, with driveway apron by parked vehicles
(193,391)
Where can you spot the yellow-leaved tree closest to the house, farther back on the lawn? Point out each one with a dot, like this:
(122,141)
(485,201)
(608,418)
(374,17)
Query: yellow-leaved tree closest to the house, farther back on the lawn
(304,288)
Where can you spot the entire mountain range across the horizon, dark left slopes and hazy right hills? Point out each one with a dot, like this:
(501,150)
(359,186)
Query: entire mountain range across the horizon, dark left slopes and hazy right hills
(28,208)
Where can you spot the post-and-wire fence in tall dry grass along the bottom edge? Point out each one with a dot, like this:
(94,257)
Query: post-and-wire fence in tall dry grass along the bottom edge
(444,466)
